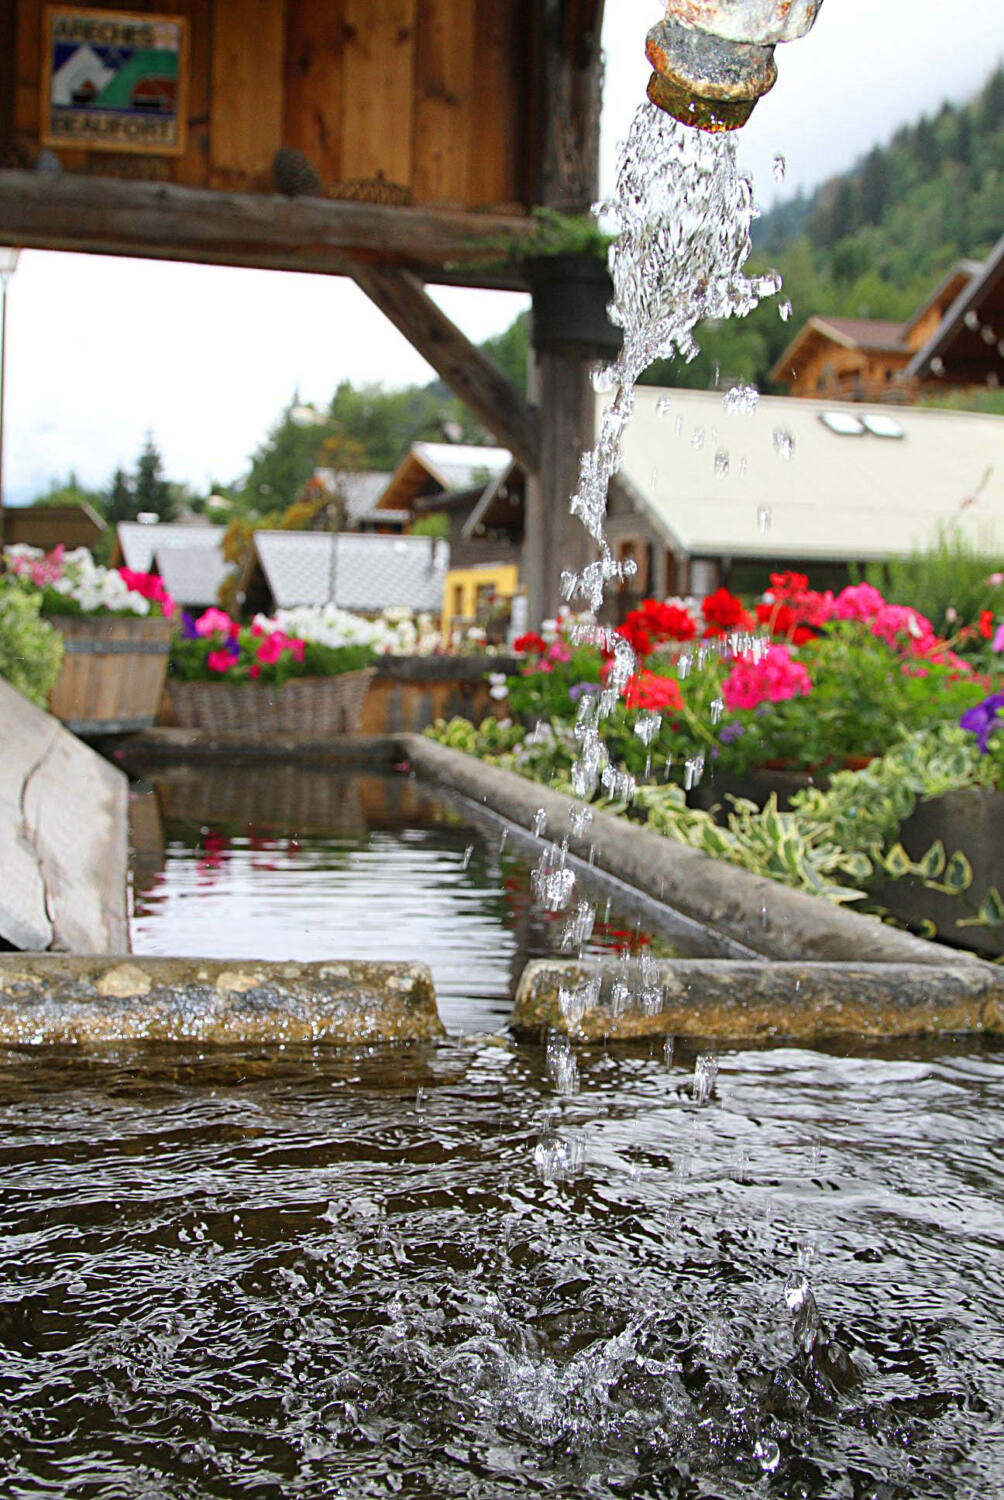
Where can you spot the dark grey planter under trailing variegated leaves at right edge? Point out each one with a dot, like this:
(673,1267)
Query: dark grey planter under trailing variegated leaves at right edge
(972,821)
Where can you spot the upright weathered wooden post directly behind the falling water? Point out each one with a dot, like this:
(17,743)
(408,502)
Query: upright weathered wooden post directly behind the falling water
(561,383)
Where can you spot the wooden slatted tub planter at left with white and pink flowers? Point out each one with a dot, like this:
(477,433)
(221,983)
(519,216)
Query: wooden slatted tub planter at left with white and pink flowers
(113,673)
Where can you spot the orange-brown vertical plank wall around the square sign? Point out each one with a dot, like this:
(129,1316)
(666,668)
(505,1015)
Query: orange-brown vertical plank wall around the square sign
(403,101)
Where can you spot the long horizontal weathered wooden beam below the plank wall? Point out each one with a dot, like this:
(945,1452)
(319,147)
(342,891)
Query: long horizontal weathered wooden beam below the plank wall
(163,221)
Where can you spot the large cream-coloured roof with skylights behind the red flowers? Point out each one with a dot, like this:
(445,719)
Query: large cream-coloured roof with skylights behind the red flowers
(838,497)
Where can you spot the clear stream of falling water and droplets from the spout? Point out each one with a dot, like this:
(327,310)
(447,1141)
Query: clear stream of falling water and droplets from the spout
(682,217)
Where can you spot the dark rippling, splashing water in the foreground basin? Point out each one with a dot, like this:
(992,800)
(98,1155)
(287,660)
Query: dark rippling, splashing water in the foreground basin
(337,1276)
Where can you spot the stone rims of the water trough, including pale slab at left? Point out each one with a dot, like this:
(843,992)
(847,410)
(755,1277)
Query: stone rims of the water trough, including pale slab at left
(823,971)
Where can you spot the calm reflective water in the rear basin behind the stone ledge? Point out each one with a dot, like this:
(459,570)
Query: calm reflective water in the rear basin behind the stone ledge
(305,863)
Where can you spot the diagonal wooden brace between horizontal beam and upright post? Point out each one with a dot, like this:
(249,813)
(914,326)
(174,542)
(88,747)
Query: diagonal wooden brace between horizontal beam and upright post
(466,370)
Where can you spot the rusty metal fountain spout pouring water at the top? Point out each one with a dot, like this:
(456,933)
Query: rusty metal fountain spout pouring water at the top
(715,59)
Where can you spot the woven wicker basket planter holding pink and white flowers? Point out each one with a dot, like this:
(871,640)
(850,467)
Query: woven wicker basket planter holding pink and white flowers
(307,709)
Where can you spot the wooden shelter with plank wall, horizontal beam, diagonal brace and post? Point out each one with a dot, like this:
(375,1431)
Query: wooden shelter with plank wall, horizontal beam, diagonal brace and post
(394,142)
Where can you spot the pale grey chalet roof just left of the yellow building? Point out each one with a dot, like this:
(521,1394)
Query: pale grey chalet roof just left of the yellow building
(355,571)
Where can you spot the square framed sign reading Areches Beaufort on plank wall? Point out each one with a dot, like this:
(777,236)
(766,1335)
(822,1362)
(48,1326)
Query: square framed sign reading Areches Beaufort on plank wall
(115,82)
